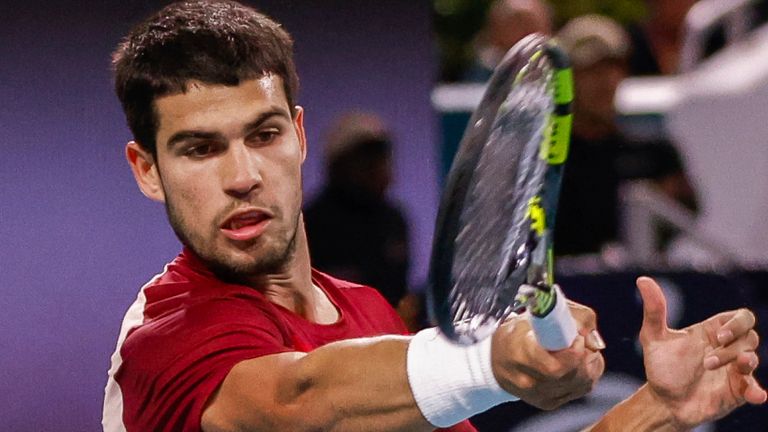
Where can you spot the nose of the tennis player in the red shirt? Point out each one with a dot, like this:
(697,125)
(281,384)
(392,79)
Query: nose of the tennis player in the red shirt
(241,170)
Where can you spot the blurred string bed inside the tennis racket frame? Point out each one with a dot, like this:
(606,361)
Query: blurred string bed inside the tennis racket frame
(509,173)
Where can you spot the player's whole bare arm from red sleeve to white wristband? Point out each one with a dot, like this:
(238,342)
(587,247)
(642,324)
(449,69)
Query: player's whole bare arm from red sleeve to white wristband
(359,384)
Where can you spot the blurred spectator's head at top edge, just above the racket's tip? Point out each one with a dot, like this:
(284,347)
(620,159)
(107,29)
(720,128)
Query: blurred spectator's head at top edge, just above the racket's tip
(507,22)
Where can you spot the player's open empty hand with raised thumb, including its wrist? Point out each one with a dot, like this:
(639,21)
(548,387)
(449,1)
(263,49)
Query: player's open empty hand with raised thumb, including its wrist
(695,375)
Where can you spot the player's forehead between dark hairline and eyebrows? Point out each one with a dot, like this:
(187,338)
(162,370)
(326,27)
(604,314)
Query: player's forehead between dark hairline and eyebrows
(218,107)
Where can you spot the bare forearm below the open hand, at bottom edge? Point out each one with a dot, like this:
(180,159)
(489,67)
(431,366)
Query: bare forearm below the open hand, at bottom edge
(641,412)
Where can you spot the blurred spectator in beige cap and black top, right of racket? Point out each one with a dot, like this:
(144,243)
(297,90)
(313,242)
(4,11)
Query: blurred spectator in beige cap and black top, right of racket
(600,157)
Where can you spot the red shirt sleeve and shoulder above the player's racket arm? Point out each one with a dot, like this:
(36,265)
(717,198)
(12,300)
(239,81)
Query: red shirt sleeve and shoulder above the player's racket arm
(168,366)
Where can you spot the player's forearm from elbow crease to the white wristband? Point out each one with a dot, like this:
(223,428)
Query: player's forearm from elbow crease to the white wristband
(362,382)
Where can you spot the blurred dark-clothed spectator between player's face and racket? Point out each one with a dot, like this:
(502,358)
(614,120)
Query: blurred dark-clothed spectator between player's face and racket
(353,229)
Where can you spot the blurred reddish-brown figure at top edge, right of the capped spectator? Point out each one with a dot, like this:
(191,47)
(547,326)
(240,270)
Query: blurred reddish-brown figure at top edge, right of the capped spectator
(658,41)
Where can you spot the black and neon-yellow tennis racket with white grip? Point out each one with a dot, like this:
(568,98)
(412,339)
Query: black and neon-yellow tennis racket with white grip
(492,253)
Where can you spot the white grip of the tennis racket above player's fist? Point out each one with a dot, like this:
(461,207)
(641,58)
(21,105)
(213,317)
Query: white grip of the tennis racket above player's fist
(557,329)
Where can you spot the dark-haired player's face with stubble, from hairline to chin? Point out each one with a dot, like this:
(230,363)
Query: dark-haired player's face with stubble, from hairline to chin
(229,162)
